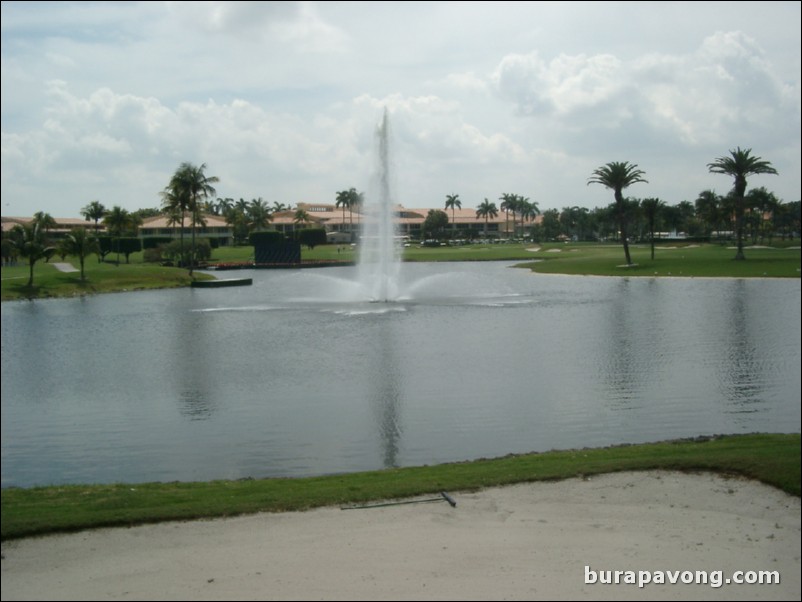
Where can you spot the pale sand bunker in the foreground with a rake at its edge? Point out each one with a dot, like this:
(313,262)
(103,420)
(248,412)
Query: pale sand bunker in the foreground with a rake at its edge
(526,542)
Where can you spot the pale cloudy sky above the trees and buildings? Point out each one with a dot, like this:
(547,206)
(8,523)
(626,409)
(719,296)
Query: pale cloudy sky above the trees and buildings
(282,100)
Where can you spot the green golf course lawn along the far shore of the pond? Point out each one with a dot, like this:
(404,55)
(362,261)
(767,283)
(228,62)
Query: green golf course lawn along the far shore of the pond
(553,258)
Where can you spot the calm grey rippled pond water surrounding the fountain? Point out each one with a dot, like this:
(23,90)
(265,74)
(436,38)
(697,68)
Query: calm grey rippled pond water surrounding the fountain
(290,378)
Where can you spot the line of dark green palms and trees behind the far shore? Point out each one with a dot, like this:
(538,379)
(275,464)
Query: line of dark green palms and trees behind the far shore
(188,196)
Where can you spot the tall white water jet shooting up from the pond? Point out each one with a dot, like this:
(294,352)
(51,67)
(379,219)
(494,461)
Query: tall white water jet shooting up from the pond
(378,255)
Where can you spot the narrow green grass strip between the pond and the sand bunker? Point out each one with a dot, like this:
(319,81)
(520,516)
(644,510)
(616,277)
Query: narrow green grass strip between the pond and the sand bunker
(771,458)
